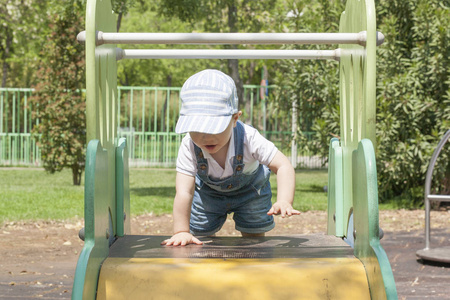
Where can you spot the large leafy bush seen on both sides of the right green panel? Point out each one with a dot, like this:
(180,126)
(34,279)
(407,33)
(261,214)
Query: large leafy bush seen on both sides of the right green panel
(413,106)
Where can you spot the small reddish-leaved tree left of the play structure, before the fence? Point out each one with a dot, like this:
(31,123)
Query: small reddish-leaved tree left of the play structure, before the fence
(58,101)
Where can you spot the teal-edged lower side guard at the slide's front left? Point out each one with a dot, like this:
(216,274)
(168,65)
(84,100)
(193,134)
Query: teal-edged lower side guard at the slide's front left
(97,219)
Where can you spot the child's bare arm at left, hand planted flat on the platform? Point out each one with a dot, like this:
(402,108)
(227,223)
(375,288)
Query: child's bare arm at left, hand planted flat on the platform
(185,185)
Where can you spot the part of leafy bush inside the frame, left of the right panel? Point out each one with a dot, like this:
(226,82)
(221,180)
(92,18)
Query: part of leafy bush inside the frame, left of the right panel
(312,85)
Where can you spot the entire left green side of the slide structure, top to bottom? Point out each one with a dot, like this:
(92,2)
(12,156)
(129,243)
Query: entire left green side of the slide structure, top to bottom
(106,179)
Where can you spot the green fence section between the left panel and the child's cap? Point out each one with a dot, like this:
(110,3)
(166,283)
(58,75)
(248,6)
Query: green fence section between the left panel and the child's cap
(147,118)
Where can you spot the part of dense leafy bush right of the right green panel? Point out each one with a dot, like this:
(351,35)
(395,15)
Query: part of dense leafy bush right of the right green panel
(413,95)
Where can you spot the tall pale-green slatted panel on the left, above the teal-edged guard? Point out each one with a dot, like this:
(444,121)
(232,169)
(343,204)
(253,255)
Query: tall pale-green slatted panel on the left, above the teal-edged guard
(101,93)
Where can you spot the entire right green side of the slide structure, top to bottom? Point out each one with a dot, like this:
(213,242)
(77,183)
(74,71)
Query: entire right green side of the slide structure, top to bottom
(358,181)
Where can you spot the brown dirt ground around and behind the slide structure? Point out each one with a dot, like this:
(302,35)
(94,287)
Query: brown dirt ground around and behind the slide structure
(39,259)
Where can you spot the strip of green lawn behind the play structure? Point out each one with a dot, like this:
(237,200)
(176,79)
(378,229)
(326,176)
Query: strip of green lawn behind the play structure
(33,194)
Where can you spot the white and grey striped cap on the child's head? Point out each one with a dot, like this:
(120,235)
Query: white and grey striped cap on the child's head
(208,100)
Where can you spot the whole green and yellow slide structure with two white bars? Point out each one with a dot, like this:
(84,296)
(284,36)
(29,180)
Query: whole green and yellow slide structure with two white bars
(116,265)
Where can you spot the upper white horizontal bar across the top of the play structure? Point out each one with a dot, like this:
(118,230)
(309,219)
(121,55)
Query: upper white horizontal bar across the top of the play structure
(230,38)
